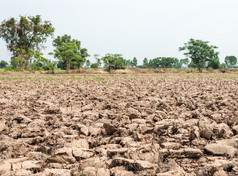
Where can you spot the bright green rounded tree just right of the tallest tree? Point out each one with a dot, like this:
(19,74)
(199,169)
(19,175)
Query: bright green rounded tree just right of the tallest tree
(69,52)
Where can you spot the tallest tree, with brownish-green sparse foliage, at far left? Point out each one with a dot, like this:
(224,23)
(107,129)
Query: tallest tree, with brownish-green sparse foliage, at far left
(25,36)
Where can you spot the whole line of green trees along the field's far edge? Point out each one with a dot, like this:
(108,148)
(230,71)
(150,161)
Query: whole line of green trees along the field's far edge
(25,38)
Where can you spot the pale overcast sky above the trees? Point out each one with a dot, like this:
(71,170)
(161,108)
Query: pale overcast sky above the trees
(134,28)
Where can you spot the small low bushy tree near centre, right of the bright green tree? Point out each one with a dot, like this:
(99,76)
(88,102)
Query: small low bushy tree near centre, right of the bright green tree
(114,61)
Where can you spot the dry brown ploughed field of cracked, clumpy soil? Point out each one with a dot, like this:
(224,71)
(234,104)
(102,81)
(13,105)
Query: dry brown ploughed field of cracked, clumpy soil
(119,126)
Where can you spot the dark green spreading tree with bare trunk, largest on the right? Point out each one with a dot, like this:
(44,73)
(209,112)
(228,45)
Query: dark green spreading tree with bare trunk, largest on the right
(199,52)
